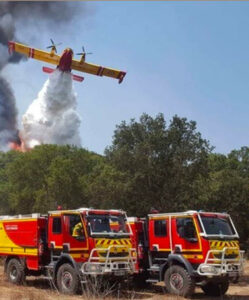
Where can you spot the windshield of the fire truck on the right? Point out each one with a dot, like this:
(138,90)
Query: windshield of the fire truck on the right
(217,226)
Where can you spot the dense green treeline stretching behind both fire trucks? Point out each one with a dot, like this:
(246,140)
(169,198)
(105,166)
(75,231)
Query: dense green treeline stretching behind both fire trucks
(169,167)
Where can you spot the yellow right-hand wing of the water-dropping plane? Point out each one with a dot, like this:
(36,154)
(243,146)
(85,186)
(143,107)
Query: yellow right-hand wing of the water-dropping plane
(97,70)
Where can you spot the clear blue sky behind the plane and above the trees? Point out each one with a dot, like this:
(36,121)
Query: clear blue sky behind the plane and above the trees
(184,58)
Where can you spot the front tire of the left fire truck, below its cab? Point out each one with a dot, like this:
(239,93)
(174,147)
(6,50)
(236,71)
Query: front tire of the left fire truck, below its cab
(67,280)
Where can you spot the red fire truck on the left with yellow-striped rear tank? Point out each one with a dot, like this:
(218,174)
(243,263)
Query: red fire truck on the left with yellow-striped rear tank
(67,246)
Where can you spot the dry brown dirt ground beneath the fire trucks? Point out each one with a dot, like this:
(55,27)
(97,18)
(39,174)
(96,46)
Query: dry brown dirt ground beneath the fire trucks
(40,289)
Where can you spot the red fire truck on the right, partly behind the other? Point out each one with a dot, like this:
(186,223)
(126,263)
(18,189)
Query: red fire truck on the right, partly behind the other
(188,249)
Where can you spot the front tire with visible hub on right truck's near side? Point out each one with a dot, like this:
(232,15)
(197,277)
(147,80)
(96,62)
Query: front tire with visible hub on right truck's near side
(178,281)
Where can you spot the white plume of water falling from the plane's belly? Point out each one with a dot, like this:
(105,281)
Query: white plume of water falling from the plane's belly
(52,118)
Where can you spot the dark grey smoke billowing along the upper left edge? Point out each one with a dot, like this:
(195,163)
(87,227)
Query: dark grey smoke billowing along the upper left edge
(49,12)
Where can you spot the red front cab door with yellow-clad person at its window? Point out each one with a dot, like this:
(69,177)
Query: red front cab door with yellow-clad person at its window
(74,236)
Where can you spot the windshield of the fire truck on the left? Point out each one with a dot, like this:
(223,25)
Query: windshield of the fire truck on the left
(110,225)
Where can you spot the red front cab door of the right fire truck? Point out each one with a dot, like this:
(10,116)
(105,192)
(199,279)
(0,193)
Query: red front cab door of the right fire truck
(185,238)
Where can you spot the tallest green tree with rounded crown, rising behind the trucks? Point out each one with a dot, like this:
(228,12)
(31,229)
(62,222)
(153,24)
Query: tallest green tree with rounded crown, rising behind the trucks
(163,165)
